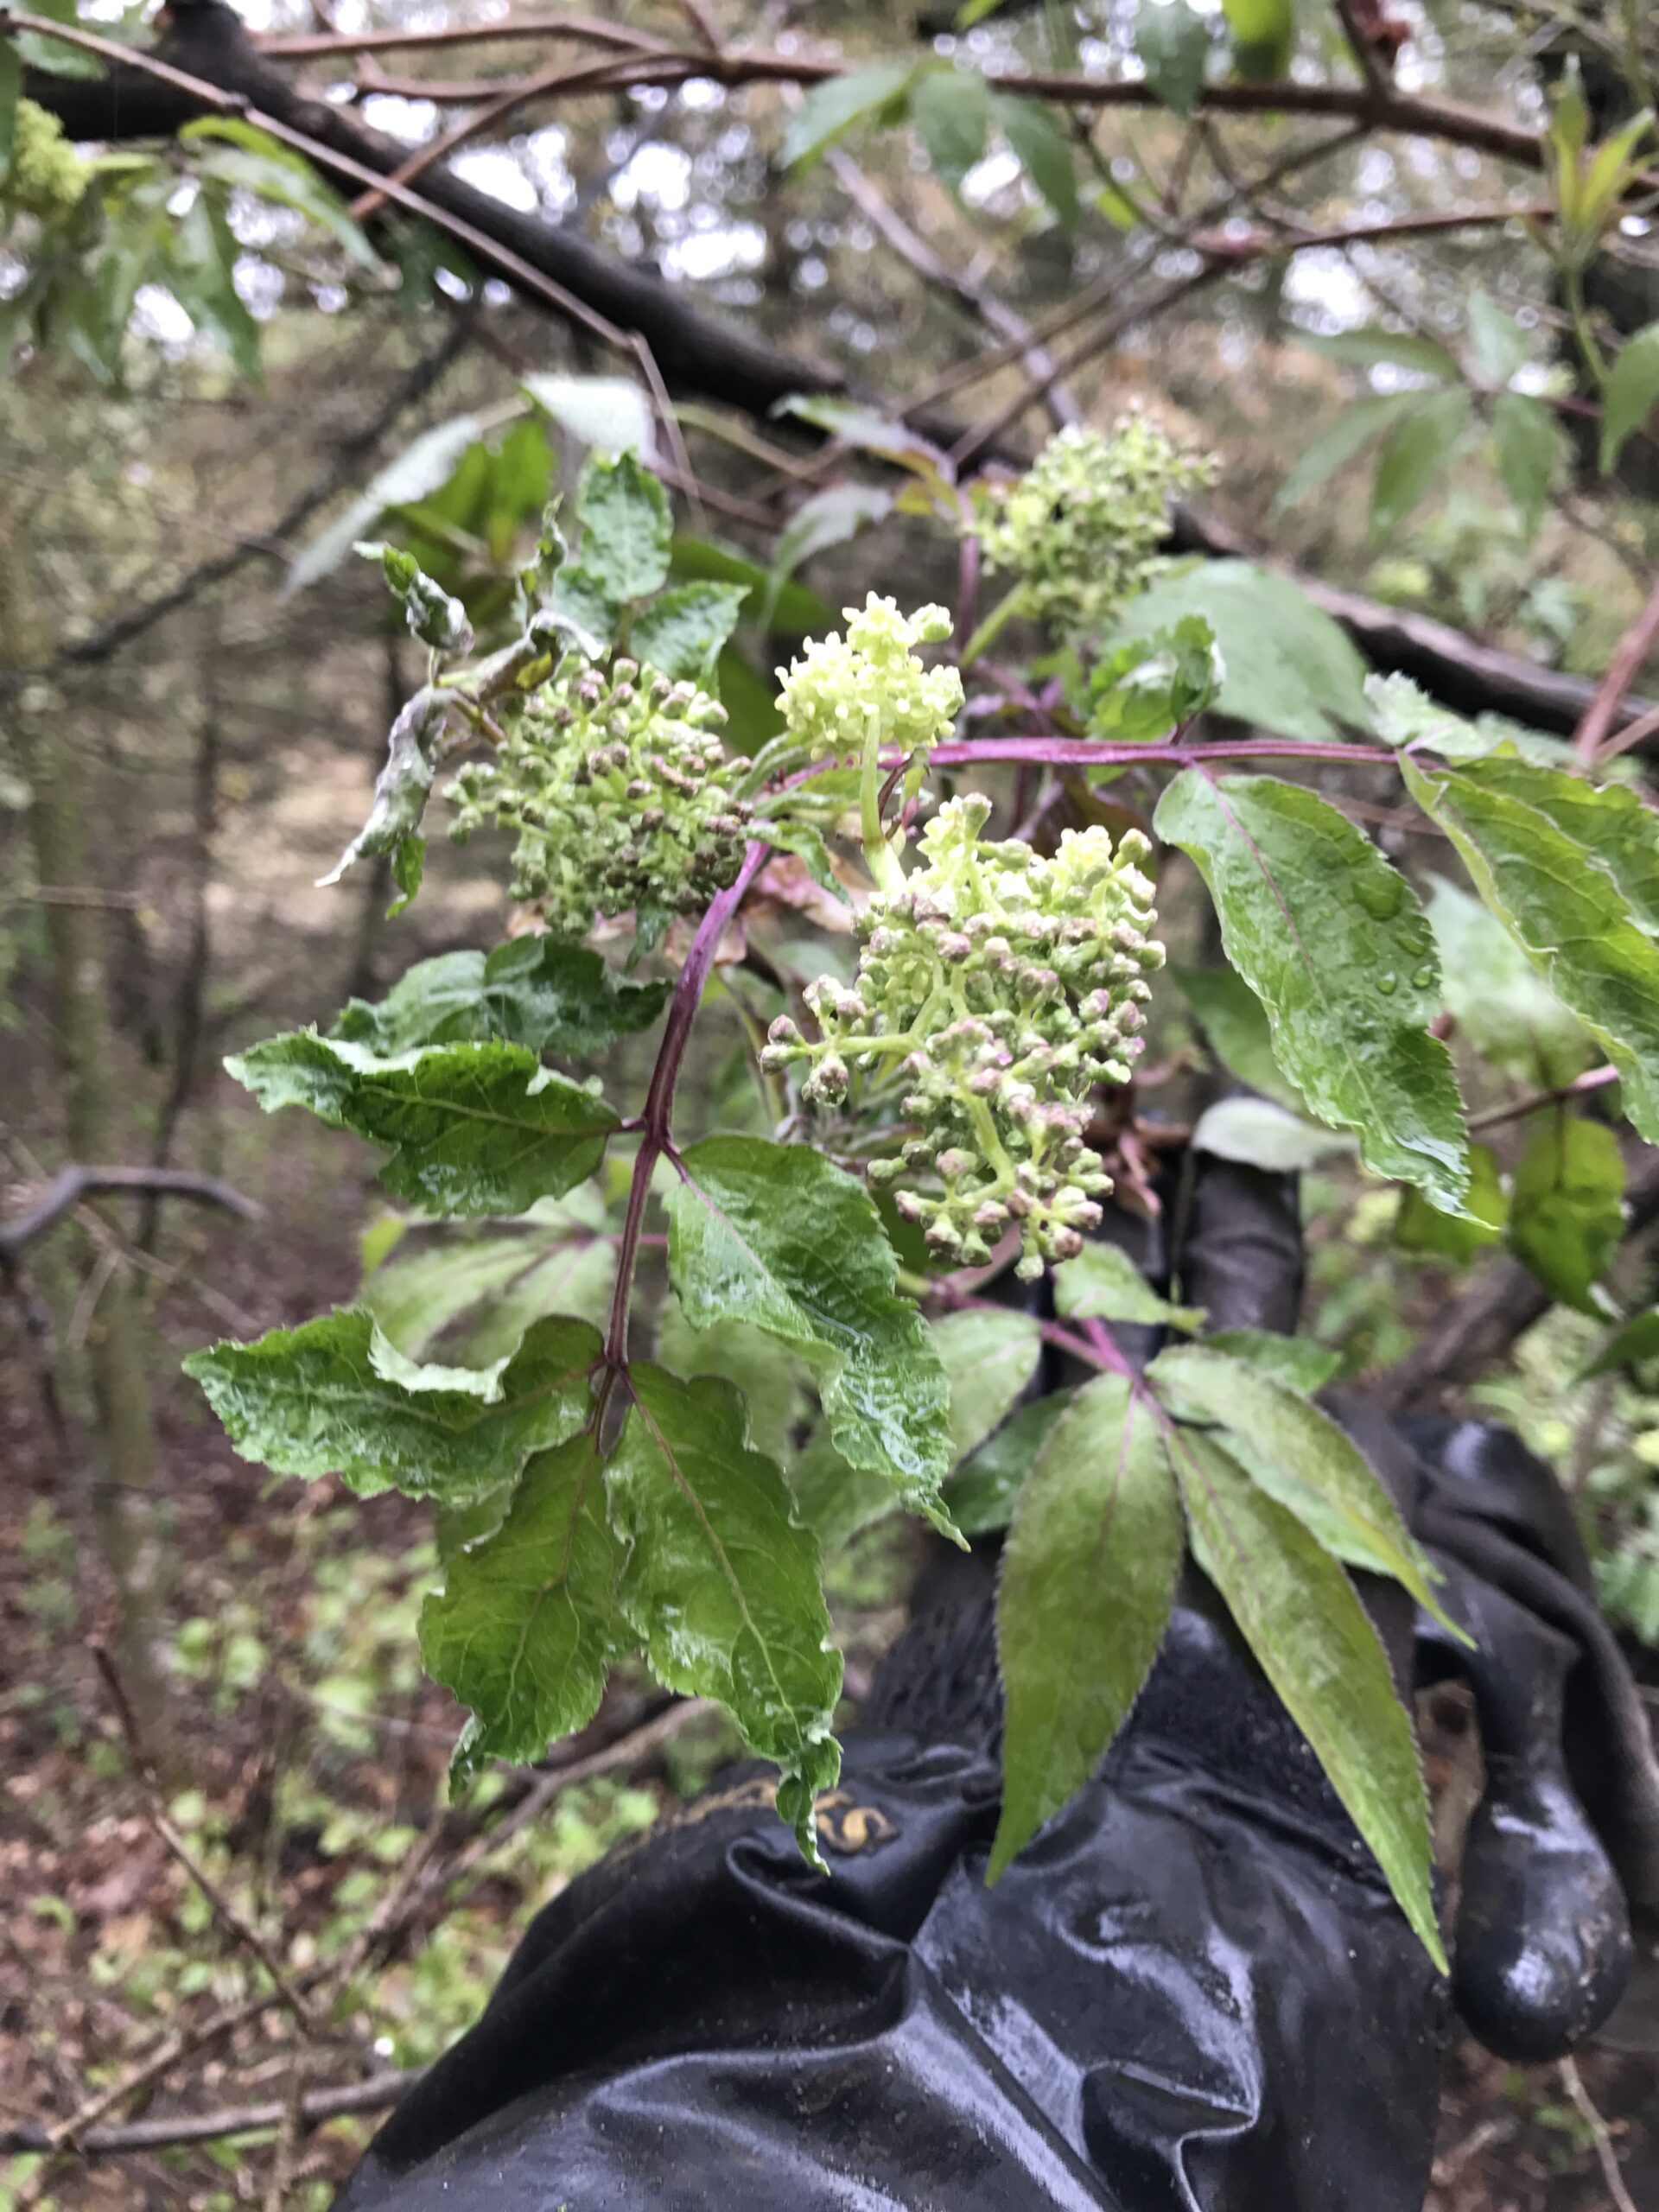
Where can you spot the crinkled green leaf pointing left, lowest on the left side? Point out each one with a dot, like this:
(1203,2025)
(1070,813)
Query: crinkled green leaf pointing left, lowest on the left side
(337,1397)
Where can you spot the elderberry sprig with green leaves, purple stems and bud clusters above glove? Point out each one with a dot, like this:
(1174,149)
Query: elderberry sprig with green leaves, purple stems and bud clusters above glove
(954,1103)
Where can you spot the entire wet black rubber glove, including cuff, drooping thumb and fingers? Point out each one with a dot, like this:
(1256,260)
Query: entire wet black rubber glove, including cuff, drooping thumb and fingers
(1189,1994)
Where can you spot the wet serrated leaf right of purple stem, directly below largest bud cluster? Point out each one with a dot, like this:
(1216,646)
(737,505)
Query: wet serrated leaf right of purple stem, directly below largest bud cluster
(782,1238)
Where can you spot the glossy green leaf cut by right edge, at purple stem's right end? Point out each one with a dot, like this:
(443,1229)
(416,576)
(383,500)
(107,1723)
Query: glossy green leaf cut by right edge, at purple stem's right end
(1569,919)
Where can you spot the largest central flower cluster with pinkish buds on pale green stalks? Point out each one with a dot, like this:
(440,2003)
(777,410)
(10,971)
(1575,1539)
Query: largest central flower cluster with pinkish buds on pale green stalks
(1005,988)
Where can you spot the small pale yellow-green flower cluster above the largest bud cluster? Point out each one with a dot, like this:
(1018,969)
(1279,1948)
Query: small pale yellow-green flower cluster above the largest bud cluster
(828,698)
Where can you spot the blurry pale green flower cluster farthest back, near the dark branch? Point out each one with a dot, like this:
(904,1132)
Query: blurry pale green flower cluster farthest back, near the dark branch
(1085,523)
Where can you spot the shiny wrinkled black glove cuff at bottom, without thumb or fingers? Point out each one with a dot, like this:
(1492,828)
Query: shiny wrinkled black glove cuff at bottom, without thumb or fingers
(1191,1994)
